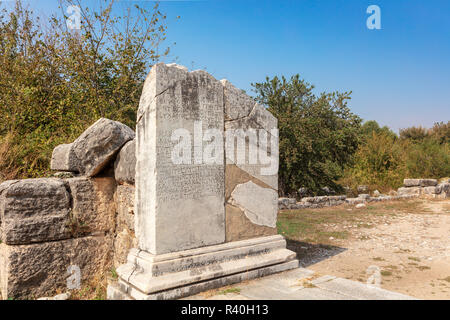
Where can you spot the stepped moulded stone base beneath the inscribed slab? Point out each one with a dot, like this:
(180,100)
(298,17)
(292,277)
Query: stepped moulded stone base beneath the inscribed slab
(180,274)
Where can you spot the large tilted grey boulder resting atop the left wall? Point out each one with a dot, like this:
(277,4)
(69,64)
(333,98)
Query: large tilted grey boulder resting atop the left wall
(97,146)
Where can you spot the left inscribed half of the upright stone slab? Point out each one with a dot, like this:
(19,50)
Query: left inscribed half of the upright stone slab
(177,206)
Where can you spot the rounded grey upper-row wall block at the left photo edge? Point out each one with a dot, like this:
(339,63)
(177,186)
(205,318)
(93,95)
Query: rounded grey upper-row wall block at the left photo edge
(34,210)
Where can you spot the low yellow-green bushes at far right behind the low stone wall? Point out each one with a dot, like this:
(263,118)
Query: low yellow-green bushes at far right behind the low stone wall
(383,160)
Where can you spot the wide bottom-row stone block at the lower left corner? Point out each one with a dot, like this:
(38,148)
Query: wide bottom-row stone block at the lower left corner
(41,269)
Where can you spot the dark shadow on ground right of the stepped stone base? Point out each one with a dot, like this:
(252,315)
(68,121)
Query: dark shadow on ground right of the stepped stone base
(309,254)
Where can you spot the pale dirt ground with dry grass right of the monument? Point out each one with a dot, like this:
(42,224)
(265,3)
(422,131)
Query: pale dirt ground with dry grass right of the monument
(403,246)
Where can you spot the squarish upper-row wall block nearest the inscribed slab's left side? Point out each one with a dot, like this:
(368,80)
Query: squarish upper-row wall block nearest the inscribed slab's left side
(93,207)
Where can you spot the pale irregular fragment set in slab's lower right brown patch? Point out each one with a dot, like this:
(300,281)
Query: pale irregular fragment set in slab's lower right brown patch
(260,205)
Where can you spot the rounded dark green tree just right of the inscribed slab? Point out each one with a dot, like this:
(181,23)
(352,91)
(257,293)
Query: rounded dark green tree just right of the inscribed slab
(318,134)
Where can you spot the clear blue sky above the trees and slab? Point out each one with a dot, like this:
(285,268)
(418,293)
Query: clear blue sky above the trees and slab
(399,75)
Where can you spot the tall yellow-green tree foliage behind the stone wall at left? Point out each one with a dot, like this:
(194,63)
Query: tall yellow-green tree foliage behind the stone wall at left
(54,82)
